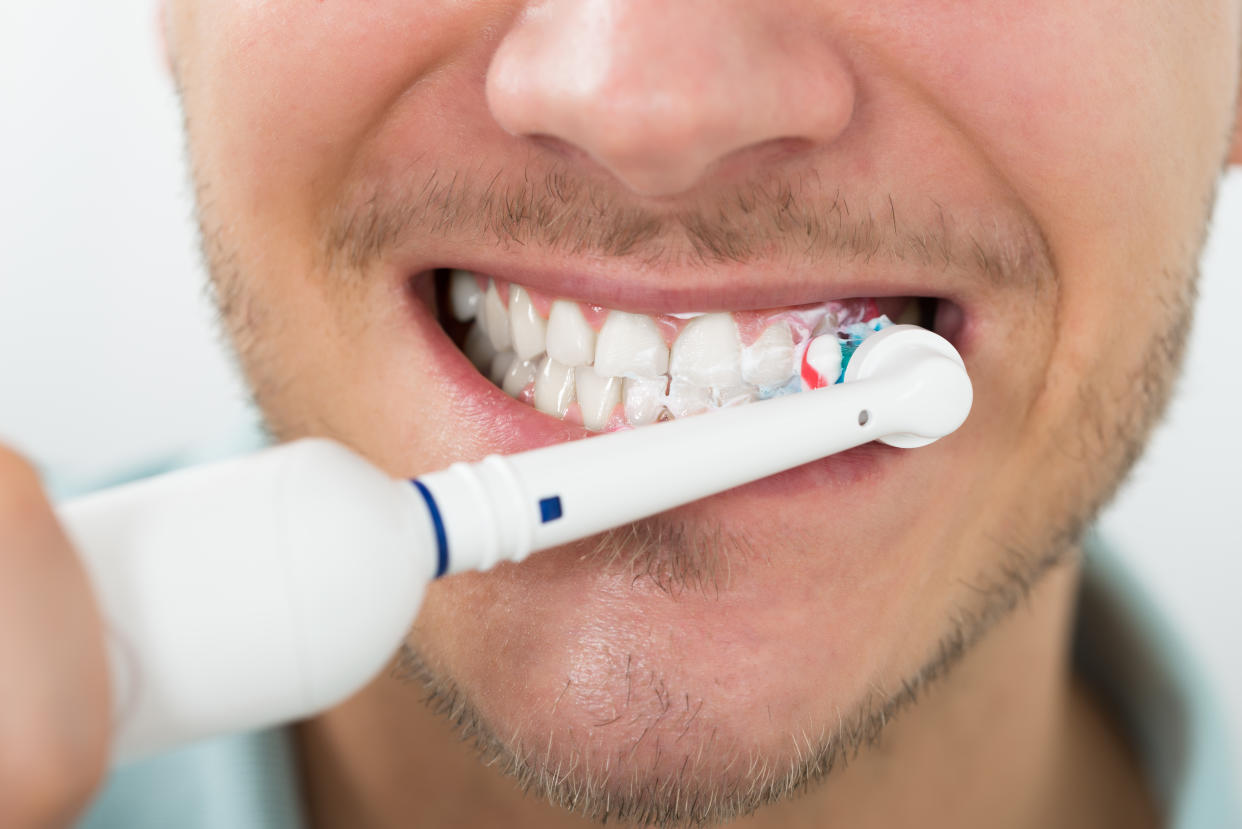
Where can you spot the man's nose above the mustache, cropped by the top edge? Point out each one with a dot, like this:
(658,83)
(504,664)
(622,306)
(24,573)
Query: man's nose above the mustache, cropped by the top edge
(659,93)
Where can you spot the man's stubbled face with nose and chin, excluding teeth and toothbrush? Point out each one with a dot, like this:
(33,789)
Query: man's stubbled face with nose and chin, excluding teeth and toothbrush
(1044,171)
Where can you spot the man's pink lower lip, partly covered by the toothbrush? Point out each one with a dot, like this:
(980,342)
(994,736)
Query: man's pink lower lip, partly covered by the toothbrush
(509,427)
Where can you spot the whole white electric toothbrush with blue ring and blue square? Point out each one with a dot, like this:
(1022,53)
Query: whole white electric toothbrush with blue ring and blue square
(266,590)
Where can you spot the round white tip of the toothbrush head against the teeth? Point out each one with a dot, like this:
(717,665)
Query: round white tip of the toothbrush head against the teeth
(938,378)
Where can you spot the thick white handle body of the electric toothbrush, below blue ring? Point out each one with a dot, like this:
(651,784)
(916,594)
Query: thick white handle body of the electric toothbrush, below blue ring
(253,592)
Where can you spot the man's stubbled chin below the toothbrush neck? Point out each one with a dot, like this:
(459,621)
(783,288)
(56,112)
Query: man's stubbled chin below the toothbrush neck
(685,659)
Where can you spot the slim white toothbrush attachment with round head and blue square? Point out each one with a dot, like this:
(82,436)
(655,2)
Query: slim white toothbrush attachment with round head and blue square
(909,387)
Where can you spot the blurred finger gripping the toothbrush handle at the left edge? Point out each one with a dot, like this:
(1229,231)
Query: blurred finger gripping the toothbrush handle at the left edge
(55,704)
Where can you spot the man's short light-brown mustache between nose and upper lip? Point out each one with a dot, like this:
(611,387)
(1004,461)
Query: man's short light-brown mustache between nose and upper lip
(768,218)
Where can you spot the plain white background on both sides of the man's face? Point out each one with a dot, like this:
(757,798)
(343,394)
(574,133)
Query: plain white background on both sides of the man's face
(109,354)
